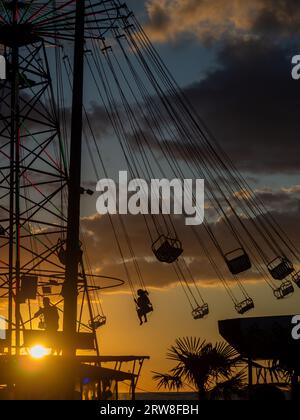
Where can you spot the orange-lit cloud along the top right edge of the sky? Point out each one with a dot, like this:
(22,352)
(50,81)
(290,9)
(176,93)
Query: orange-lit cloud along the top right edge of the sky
(231,19)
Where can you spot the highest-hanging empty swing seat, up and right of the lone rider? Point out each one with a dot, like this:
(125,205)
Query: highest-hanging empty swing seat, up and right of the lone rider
(167,250)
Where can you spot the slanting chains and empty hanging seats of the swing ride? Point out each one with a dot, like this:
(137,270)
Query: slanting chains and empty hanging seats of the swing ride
(130,51)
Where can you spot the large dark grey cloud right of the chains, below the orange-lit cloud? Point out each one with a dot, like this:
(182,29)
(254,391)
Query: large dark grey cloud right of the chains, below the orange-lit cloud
(251,106)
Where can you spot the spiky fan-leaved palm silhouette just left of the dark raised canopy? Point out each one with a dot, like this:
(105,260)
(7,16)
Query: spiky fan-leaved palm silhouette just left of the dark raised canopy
(210,369)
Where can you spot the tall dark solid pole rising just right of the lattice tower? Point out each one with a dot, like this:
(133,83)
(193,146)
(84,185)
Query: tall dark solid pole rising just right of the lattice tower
(72,247)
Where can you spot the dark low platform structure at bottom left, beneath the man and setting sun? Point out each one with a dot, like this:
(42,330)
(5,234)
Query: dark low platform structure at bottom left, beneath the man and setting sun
(47,378)
